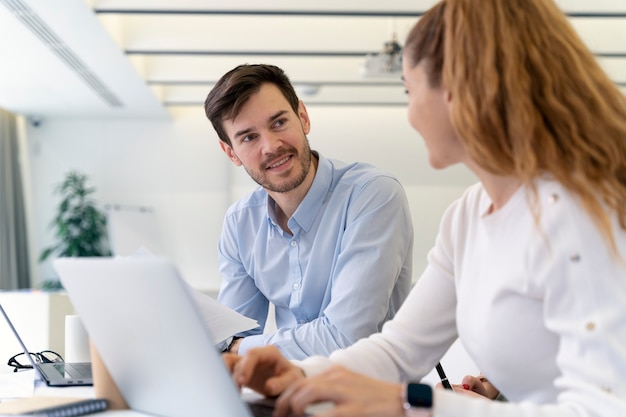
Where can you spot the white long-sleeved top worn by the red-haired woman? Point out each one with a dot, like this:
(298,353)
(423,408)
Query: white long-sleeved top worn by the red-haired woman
(538,302)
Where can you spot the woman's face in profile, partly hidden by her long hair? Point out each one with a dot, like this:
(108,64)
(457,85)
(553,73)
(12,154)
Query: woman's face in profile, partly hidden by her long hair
(429,115)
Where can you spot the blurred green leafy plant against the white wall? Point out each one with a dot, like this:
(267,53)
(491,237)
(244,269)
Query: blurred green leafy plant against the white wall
(79,226)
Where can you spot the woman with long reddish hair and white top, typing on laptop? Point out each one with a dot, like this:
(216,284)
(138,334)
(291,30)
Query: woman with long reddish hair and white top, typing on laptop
(529,267)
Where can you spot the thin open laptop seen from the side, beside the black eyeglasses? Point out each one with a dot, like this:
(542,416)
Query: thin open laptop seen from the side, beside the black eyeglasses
(57,374)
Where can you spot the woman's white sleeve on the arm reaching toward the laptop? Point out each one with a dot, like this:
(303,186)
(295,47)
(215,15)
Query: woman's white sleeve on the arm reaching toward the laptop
(409,346)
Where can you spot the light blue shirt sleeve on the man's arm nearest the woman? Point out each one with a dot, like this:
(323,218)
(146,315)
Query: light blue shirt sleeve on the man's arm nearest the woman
(376,256)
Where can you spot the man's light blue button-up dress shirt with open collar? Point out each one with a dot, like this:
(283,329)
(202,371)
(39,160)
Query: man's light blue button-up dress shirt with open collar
(343,273)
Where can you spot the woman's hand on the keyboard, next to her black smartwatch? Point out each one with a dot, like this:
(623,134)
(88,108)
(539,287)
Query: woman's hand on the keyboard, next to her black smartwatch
(352,395)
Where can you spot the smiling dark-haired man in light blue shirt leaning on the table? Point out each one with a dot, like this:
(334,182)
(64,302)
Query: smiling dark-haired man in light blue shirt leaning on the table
(328,243)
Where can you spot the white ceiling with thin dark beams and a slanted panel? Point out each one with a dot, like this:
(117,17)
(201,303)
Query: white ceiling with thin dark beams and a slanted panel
(136,58)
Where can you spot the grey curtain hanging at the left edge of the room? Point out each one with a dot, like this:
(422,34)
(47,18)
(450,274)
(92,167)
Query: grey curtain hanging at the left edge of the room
(14,270)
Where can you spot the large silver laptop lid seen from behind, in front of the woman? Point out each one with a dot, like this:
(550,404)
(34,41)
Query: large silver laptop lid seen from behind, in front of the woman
(149,332)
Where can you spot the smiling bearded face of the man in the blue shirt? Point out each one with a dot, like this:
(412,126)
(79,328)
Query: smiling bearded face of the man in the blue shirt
(269,140)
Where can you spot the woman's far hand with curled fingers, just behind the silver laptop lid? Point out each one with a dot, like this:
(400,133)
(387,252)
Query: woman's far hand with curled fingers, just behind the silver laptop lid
(265,370)
